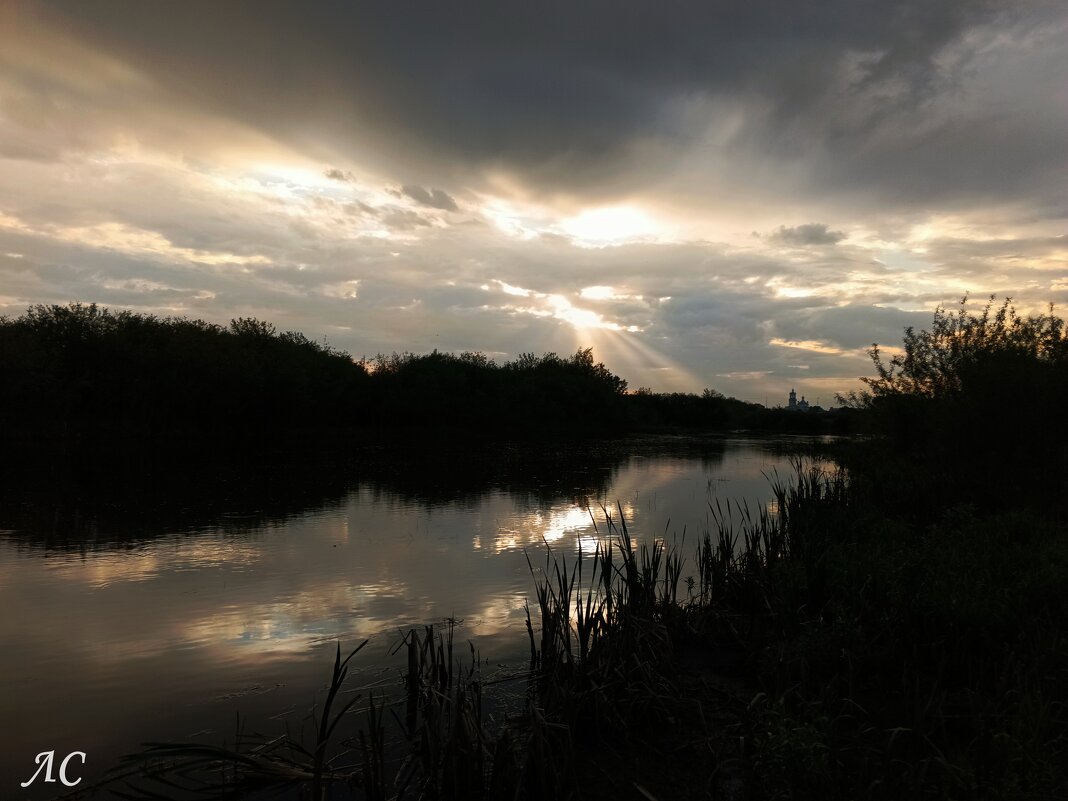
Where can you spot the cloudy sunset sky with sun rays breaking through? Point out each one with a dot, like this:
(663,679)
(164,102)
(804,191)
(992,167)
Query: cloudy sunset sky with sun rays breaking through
(737,196)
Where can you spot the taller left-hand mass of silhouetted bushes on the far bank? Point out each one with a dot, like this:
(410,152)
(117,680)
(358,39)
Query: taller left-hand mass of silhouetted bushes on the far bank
(82,370)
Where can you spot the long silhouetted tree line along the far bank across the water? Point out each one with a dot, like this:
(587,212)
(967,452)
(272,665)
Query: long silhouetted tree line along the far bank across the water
(82,374)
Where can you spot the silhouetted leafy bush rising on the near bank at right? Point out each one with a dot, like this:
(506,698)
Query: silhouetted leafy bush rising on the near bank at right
(971,412)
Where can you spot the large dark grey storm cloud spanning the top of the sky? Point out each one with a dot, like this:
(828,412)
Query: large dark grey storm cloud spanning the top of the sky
(589,97)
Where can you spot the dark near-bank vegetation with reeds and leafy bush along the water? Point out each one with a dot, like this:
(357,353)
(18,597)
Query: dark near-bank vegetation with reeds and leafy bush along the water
(892,629)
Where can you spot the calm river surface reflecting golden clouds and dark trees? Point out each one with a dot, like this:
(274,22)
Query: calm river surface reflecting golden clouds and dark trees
(133,622)
